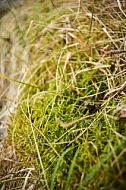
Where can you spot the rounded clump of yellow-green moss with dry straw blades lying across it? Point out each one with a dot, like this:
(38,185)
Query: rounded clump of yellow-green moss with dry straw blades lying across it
(70,81)
